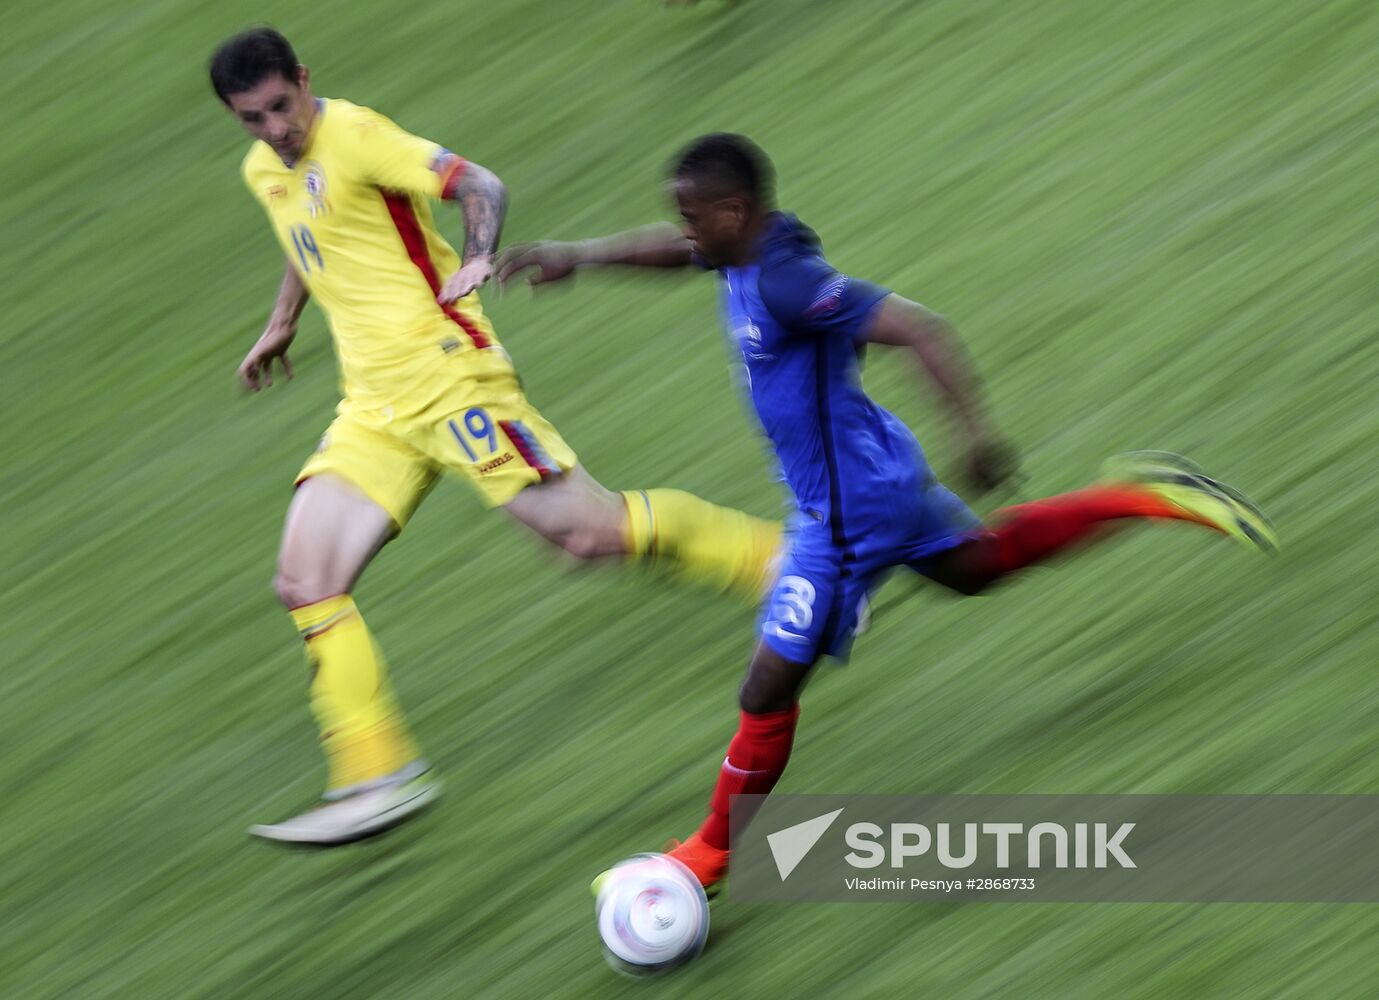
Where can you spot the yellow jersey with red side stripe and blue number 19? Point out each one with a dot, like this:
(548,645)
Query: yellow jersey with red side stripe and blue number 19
(354,217)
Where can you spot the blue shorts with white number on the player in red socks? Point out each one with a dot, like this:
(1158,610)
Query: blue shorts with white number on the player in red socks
(823,591)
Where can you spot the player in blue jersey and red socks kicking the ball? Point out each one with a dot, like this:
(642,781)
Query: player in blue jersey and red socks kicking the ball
(865,500)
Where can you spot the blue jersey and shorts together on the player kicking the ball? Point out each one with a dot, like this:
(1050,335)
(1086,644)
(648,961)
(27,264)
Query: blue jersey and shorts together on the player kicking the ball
(867,497)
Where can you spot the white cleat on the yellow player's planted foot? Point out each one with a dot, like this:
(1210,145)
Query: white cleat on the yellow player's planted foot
(361,813)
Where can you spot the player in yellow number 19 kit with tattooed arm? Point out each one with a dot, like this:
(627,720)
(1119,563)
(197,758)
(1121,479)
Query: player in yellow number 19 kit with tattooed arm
(427,388)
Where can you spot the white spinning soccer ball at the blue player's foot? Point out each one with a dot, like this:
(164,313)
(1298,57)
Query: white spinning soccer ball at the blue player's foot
(653,915)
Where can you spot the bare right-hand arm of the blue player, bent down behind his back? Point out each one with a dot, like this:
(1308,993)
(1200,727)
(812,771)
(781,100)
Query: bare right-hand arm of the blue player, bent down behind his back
(908,325)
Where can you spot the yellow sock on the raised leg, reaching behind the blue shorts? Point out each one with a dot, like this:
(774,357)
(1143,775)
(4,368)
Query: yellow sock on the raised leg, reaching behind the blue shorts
(719,547)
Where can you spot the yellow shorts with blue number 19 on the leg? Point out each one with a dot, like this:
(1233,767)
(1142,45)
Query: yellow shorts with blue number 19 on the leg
(474,419)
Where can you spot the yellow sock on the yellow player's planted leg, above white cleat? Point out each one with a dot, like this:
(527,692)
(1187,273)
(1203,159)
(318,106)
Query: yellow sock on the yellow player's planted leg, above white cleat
(363,732)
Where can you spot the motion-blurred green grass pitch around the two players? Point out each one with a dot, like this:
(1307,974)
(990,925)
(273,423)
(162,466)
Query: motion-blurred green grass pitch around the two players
(1154,226)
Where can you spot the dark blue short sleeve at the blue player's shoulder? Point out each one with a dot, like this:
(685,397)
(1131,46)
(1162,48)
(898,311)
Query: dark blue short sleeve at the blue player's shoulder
(807,296)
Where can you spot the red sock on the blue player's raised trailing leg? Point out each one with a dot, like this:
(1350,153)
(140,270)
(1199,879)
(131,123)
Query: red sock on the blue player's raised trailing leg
(1029,533)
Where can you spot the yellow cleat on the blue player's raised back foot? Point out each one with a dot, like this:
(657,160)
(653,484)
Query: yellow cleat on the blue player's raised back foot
(1206,500)
